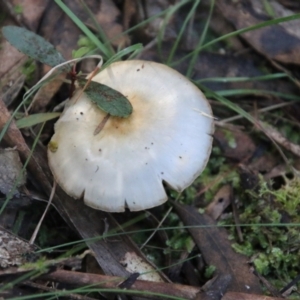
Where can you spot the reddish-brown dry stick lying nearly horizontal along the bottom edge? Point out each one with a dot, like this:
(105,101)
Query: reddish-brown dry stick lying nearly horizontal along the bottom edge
(111,282)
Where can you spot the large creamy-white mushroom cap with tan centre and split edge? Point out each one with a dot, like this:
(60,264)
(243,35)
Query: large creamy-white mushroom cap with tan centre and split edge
(167,139)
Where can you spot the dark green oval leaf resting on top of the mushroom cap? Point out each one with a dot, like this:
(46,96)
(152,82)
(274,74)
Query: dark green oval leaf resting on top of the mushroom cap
(108,99)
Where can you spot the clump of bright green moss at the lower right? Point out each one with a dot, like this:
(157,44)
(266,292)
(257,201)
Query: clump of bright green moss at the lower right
(274,248)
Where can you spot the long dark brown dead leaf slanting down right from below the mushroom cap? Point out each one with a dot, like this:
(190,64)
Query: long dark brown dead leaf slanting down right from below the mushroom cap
(216,249)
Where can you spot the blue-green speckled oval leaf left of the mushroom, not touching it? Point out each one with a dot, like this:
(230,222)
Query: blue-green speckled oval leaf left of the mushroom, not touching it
(33,45)
